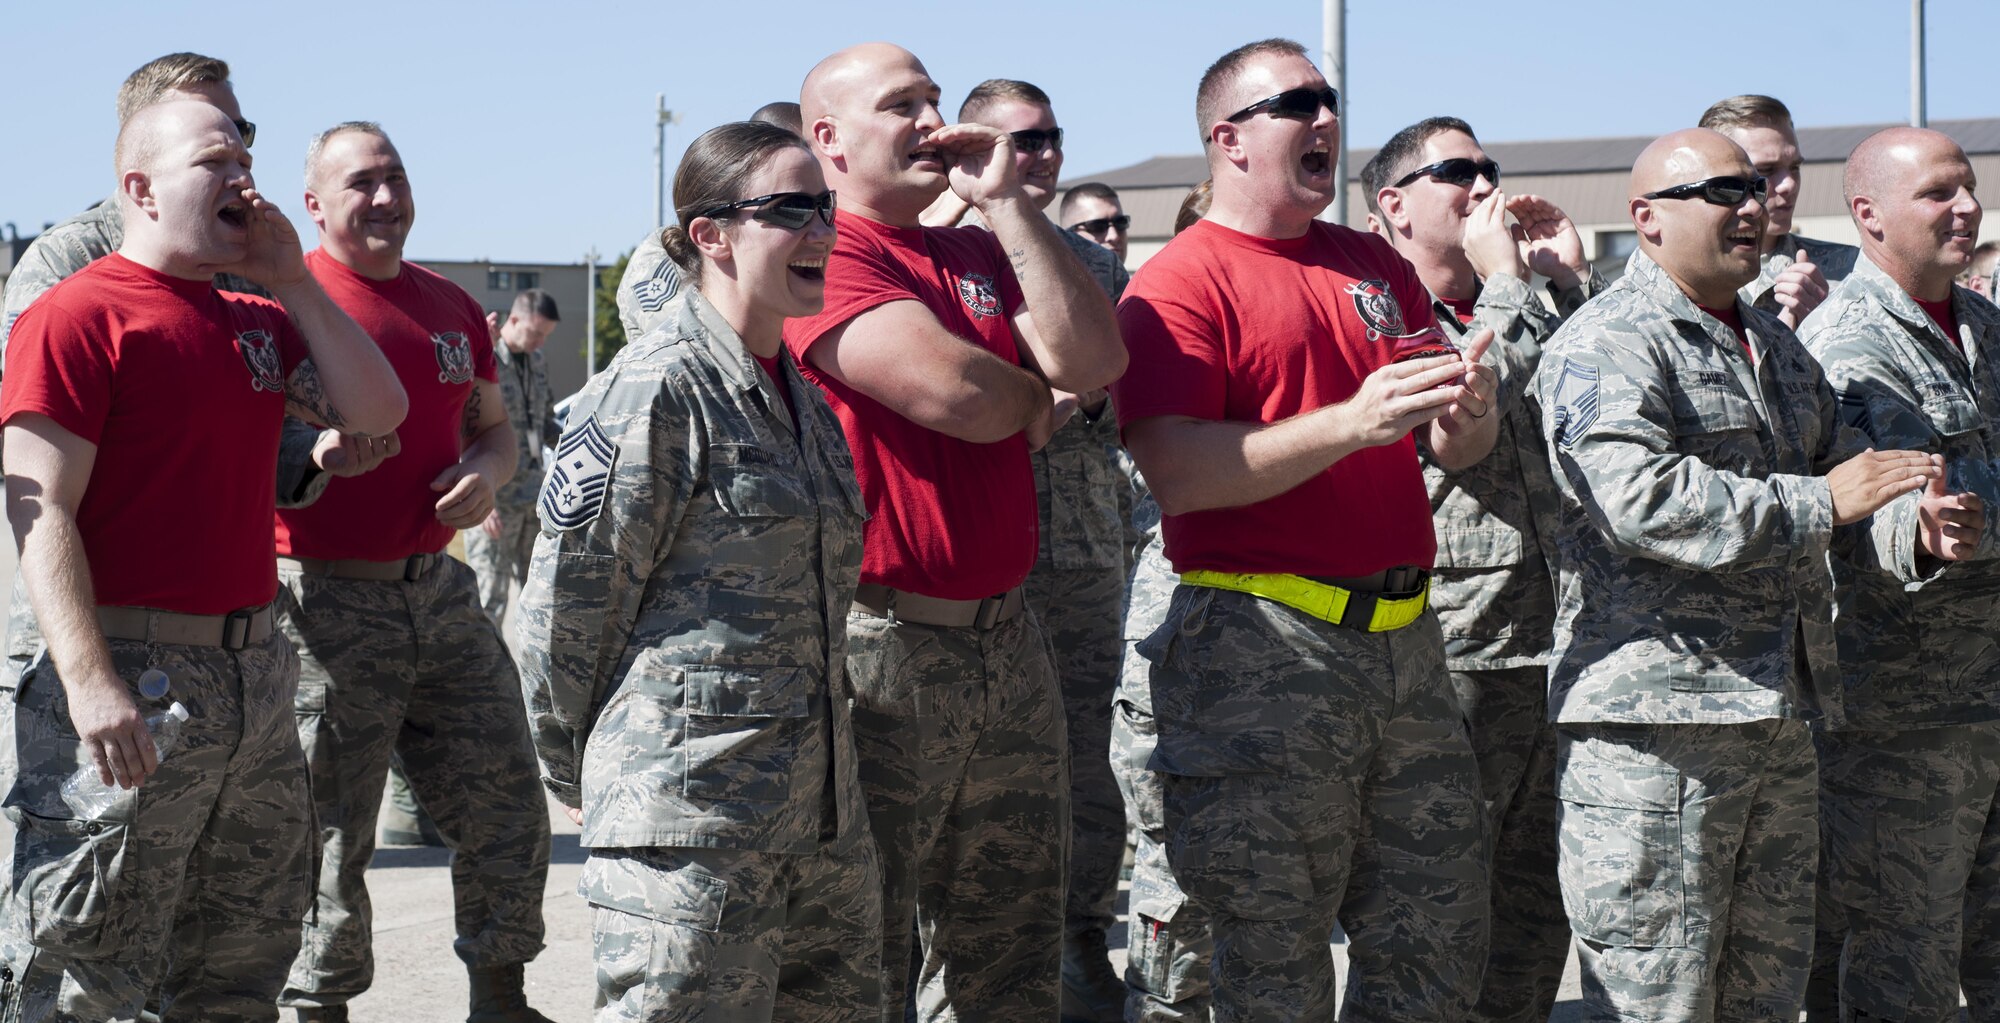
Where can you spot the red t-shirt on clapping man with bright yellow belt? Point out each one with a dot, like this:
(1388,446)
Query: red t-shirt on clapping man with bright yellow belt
(1229,327)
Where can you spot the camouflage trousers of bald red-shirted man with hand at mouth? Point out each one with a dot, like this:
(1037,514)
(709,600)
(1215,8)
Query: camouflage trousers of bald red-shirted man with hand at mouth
(965,768)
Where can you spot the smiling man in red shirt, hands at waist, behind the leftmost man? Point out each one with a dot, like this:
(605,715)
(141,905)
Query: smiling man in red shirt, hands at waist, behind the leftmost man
(399,658)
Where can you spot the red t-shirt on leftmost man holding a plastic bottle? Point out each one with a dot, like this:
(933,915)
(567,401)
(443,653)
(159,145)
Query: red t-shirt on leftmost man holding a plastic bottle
(183,393)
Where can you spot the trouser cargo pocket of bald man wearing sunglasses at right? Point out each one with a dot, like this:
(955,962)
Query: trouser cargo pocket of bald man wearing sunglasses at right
(1621,856)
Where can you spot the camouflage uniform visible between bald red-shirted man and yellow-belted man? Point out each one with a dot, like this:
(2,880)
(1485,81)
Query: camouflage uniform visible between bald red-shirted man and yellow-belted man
(1077,588)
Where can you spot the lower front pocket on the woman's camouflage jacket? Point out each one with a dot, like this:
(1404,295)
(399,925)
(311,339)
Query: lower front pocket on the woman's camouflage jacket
(745,726)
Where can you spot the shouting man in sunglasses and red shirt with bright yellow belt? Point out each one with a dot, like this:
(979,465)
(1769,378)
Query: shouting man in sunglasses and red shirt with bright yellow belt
(1313,756)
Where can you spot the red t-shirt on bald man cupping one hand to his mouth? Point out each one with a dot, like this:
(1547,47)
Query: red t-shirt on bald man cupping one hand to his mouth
(947,518)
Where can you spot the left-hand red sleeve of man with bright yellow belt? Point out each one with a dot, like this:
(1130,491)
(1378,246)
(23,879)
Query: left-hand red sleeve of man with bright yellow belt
(1177,367)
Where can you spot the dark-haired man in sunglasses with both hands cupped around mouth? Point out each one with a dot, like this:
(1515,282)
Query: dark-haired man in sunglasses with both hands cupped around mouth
(1439,201)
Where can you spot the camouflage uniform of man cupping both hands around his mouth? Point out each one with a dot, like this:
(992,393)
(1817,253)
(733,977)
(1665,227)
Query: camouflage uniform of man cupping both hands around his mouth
(1497,604)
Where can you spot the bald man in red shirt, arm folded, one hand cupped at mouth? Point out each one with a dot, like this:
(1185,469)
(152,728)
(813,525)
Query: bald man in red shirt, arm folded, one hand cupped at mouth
(939,349)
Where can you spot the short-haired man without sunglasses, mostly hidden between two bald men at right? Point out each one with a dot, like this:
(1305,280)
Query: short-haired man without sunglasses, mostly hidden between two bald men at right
(1795,271)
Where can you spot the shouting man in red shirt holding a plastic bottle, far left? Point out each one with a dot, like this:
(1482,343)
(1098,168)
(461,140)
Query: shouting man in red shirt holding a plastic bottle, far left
(145,550)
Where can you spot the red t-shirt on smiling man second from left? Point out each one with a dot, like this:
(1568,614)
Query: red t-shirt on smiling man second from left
(435,339)
